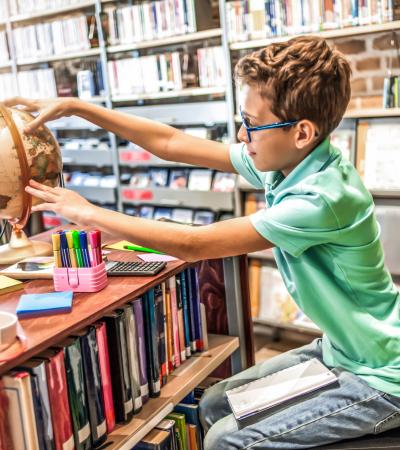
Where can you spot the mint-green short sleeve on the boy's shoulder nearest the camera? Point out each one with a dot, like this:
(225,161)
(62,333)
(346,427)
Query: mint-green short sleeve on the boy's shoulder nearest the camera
(297,223)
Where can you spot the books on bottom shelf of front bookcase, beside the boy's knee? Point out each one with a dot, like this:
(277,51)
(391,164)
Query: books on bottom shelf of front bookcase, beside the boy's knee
(180,430)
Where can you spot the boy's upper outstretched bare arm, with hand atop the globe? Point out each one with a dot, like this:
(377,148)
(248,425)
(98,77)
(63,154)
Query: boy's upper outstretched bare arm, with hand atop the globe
(162,140)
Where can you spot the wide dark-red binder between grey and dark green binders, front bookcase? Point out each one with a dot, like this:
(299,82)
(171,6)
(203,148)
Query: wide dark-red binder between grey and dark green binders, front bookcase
(58,397)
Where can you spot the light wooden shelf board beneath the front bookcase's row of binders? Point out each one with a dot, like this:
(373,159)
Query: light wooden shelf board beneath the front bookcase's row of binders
(180,383)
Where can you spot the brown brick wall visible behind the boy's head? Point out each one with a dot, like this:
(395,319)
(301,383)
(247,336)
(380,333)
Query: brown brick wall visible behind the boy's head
(370,56)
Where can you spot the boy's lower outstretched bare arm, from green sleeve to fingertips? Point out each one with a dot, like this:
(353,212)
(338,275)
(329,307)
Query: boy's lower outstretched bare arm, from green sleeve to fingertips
(226,238)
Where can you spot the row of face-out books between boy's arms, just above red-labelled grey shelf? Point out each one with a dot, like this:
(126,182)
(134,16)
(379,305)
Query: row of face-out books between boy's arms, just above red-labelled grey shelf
(192,179)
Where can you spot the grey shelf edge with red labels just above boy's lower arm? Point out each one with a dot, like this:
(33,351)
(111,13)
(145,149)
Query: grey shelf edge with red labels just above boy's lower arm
(183,197)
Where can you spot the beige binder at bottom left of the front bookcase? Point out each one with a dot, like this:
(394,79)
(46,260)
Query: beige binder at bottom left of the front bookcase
(21,416)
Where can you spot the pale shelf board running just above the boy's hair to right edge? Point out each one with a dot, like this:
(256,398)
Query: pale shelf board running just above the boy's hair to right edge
(327,34)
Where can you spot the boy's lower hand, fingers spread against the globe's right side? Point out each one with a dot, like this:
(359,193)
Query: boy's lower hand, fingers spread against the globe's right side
(63,202)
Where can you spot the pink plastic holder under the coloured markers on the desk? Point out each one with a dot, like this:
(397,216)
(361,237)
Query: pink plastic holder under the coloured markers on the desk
(82,279)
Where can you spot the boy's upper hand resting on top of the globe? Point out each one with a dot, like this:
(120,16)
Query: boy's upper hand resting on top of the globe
(48,109)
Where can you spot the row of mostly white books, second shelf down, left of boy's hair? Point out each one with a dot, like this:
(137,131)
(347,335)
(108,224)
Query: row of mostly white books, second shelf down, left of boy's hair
(167,71)
